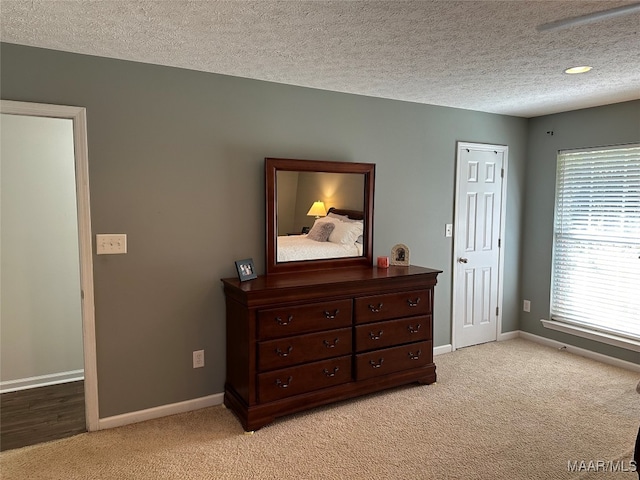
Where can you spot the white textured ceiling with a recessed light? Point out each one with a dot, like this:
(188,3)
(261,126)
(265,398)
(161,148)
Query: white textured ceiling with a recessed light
(478,55)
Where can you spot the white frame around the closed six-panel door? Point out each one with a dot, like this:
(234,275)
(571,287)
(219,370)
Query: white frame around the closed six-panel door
(456,242)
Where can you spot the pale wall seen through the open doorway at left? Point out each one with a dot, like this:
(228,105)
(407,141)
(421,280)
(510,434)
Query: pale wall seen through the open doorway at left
(41,319)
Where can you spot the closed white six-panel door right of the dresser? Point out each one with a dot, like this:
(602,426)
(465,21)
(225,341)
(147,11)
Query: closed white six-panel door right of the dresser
(477,243)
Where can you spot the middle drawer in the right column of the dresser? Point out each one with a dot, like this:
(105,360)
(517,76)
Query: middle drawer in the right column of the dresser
(392,332)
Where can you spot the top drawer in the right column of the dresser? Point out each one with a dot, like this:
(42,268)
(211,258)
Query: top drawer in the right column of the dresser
(392,305)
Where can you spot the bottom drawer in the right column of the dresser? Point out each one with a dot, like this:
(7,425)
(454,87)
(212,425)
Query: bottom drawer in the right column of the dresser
(389,360)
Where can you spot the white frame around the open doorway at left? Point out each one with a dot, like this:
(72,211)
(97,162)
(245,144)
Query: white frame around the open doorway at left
(79,117)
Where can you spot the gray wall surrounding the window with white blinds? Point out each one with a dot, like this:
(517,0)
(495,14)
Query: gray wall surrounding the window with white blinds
(609,125)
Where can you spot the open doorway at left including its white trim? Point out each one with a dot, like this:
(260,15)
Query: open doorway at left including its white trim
(72,372)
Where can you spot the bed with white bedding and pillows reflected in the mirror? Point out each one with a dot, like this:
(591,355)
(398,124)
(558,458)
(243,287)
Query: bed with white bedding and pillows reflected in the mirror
(343,239)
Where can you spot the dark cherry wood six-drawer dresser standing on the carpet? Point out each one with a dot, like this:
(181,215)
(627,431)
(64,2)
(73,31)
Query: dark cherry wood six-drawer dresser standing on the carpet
(300,340)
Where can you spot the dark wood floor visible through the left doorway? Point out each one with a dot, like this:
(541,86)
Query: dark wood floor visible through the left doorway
(41,414)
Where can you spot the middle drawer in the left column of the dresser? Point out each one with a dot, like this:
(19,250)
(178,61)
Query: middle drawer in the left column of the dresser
(289,351)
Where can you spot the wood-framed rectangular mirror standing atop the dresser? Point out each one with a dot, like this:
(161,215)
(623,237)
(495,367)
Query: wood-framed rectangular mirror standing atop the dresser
(293,189)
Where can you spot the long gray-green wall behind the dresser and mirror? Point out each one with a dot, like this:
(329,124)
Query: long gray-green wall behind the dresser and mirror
(176,162)
